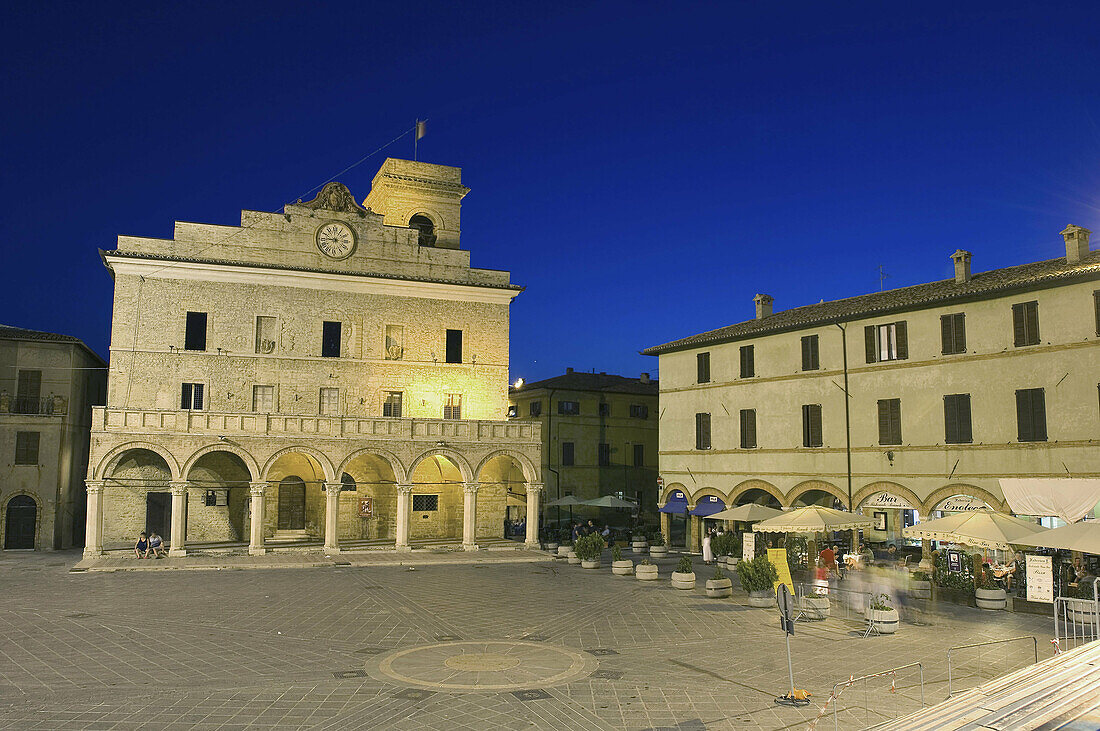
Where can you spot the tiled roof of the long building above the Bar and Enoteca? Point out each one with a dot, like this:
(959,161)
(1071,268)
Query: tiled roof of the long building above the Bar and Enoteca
(985,285)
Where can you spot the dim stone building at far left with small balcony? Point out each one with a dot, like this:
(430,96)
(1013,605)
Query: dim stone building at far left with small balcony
(49,384)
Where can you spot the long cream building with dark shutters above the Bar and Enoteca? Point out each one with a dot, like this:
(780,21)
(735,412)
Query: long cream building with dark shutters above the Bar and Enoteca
(918,468)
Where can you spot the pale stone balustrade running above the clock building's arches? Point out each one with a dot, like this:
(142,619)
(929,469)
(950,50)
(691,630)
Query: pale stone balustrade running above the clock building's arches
(112,419)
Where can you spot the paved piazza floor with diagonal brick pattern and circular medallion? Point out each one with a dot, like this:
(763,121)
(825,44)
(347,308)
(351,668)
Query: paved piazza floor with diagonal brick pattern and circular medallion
(482,645)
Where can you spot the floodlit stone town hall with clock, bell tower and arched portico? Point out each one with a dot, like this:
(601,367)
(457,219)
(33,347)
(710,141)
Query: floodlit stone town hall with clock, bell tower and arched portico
(326,372)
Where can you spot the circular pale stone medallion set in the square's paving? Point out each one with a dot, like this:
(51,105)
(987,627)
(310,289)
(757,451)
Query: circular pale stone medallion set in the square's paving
(489,667)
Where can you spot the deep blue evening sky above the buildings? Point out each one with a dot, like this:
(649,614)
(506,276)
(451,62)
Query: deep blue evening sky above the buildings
(642,169)
